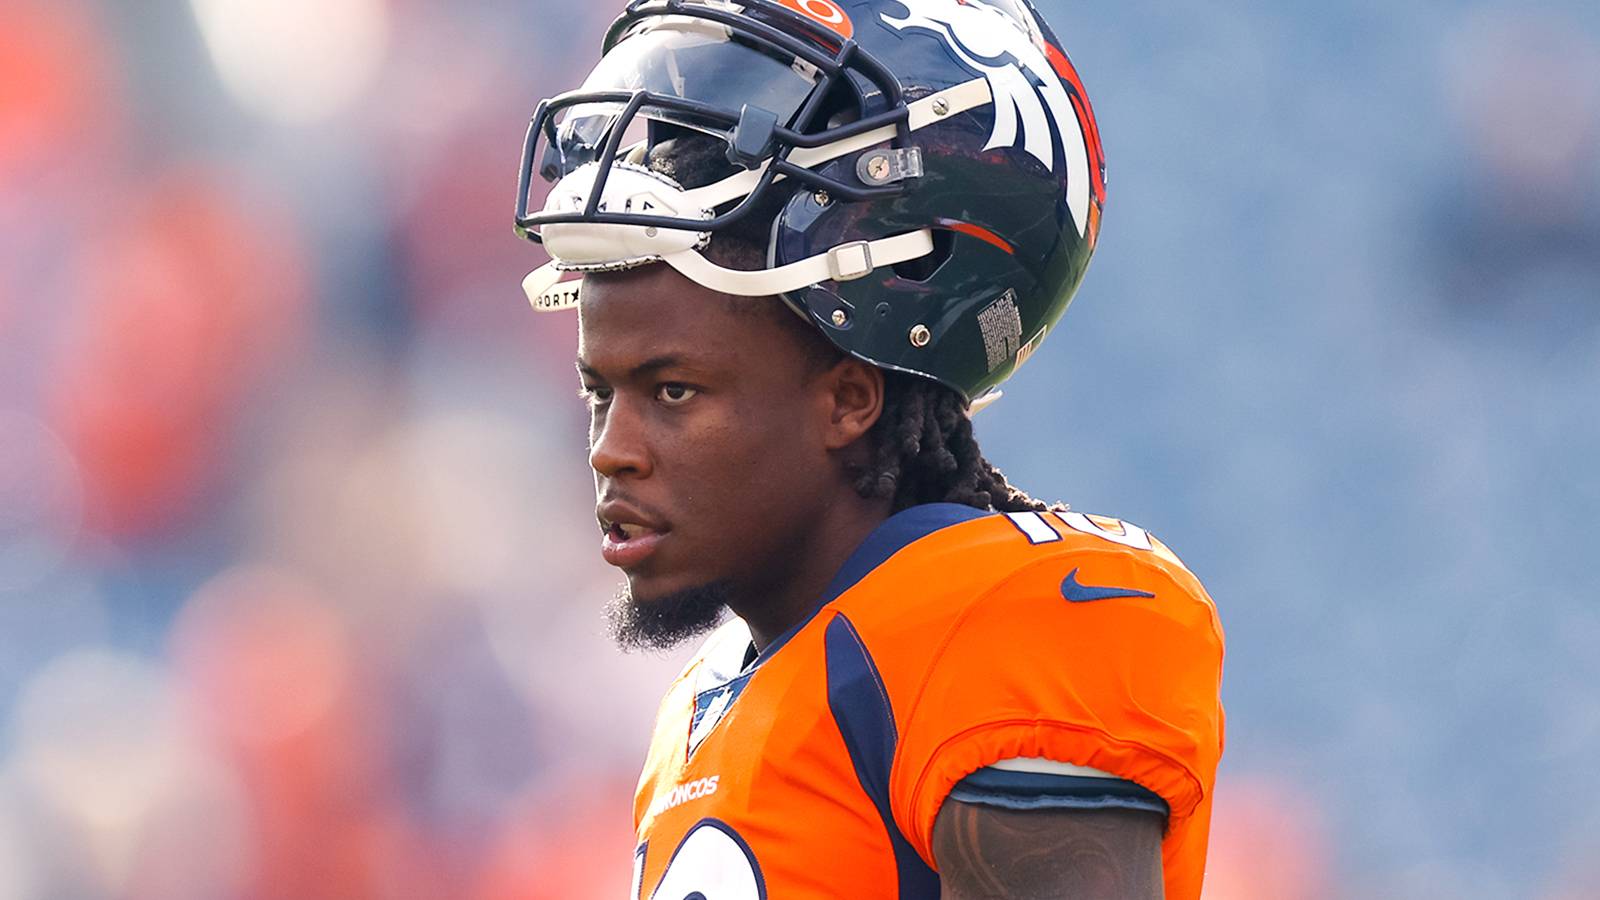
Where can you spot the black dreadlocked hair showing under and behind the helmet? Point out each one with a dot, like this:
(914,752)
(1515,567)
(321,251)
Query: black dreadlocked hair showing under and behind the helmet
(922,448)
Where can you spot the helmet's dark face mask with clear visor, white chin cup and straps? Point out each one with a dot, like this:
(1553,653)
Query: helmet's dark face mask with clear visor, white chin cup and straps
(679,66)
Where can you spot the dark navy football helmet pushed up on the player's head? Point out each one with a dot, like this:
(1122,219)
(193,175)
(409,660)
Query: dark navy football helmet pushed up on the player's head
(935,166)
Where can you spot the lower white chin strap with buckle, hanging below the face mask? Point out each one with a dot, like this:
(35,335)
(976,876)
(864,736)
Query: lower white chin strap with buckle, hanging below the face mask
(548,292)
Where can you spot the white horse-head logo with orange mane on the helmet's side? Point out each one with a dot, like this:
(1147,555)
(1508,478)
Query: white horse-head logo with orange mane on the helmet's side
(1028,92)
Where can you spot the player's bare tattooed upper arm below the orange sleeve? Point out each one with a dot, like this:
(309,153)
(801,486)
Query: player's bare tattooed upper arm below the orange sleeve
(986,853)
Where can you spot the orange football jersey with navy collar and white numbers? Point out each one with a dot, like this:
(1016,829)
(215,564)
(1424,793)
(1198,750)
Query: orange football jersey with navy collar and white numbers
(951,641)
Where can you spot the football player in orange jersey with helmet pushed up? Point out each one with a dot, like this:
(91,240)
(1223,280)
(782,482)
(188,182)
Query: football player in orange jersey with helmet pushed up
(807,241)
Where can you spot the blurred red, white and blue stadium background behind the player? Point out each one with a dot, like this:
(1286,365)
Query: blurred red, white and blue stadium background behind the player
(298,577)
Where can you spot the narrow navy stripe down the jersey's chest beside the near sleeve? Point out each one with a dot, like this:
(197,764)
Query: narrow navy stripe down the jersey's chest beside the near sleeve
(866,721)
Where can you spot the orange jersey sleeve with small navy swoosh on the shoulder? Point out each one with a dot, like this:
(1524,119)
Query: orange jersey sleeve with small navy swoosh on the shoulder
(1122,678)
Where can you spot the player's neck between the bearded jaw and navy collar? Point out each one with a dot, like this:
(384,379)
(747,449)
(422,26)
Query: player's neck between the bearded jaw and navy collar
(793,590)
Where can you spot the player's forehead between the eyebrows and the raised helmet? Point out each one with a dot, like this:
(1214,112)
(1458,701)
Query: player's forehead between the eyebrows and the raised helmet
(625,318)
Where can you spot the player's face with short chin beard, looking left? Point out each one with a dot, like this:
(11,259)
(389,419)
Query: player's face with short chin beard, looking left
(706,435)
